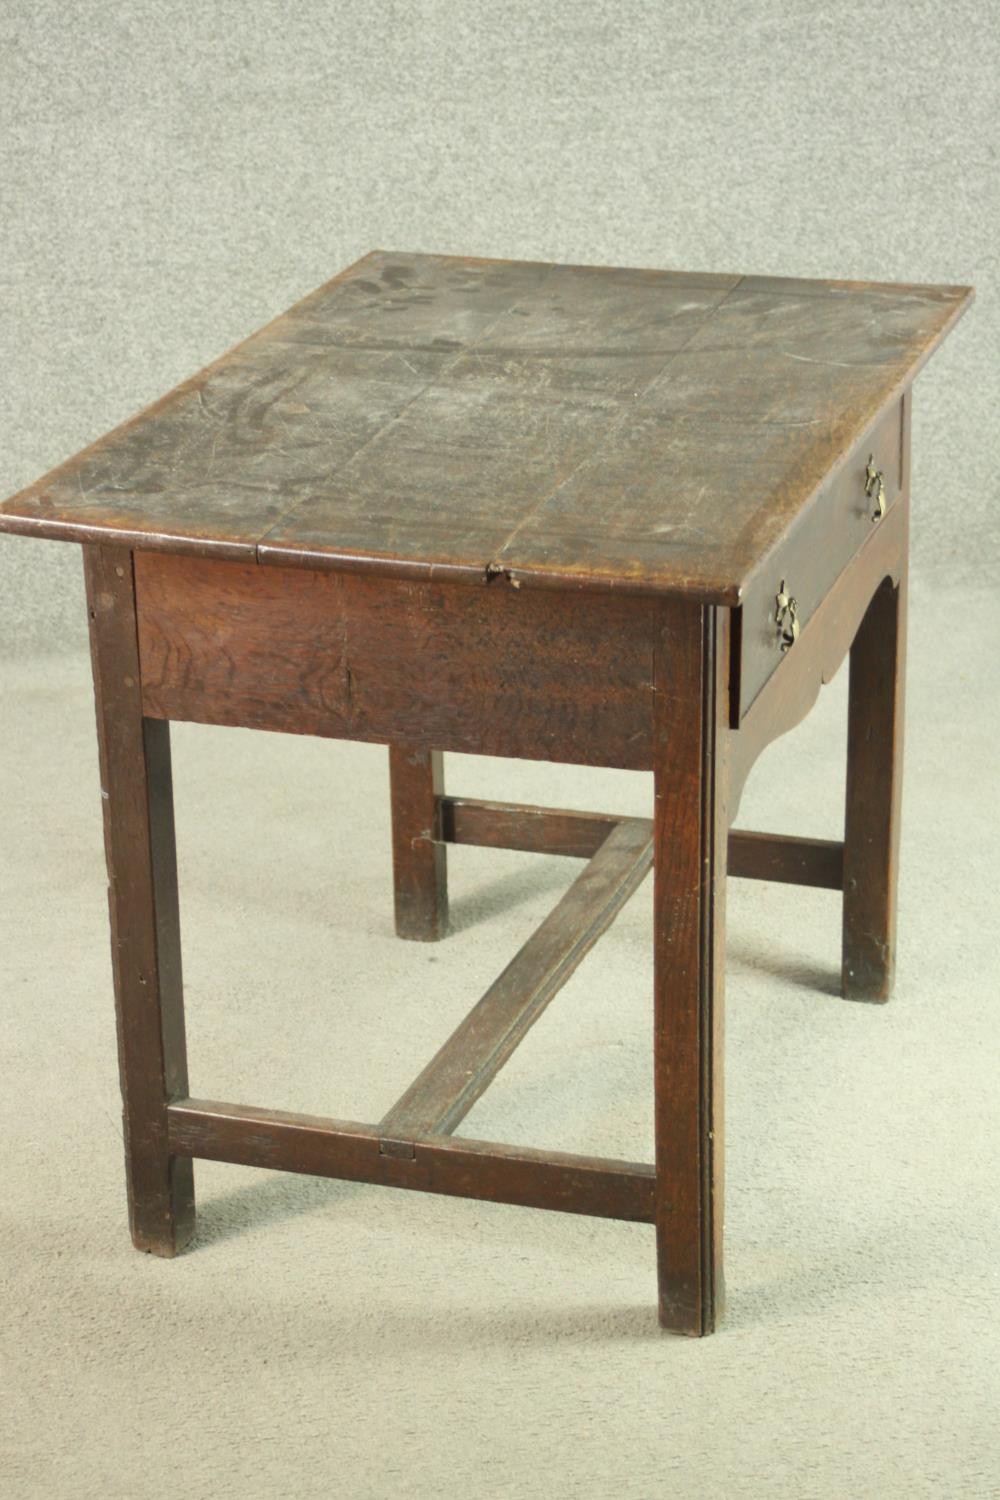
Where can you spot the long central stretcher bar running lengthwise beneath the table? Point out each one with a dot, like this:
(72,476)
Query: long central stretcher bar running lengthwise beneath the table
(467,1064)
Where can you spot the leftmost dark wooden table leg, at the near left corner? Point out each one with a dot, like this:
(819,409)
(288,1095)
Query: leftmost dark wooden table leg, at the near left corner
(139,820)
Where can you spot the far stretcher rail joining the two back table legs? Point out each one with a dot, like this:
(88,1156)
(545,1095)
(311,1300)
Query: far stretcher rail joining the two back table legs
(557,830)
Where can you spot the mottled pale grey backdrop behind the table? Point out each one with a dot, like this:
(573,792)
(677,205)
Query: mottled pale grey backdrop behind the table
(175,175)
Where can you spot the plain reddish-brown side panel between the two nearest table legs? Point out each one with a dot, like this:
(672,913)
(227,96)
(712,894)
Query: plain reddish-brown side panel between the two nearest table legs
(490,671)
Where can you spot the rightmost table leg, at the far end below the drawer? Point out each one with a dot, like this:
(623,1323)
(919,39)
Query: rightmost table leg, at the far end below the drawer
(875,784)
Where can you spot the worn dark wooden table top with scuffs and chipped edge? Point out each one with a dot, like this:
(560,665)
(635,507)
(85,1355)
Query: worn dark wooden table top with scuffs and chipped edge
(449,418)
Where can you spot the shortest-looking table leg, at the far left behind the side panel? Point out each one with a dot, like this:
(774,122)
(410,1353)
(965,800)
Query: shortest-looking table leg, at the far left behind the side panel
(419,856)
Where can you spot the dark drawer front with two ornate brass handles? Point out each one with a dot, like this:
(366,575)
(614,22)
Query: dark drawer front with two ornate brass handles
(818,550)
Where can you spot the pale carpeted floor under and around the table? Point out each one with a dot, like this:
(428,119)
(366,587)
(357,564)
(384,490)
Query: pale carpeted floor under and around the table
(338,1340)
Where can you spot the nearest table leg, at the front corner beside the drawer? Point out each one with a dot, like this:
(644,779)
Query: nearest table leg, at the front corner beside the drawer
(692,829)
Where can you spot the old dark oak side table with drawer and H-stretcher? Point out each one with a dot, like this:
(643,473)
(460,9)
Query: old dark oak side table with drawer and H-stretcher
(614,518)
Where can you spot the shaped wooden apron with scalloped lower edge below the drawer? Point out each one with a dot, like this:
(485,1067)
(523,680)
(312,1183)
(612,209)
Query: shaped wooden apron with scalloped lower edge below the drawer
(815,659)
